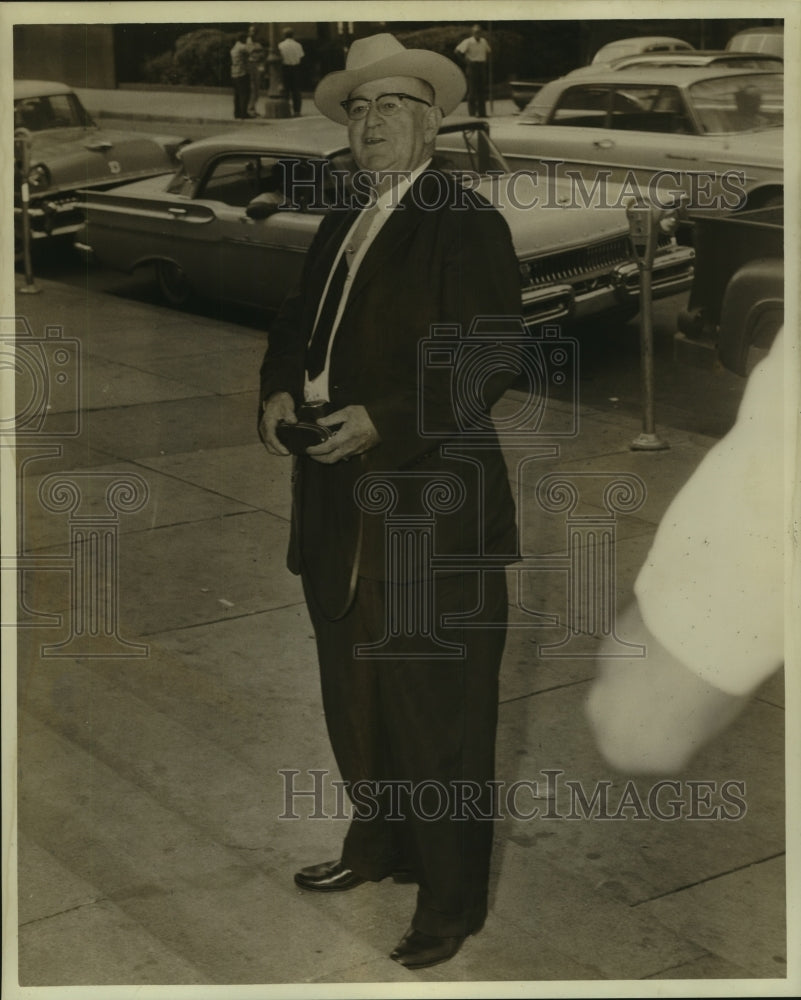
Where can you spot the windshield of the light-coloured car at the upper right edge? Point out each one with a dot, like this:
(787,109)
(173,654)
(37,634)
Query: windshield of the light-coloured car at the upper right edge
(739,104)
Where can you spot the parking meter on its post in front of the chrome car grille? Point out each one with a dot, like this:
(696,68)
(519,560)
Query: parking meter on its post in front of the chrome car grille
(646,221)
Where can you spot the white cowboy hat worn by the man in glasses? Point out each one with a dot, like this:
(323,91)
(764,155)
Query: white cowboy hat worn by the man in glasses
(378,56)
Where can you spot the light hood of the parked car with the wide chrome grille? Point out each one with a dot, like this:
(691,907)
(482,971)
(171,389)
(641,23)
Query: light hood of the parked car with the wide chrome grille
(545,219)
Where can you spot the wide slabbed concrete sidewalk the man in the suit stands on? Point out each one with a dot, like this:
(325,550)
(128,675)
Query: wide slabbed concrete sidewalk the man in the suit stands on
(151,844)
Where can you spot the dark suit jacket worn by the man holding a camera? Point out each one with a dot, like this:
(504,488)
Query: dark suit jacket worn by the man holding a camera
(431,264)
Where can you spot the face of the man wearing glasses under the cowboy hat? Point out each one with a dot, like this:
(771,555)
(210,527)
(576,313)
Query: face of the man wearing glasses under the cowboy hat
(400,142)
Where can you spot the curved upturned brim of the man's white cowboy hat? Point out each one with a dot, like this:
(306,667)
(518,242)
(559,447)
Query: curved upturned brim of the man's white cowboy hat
(444,76)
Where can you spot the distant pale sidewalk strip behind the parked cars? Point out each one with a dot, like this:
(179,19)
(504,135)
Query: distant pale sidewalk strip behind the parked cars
(203,107)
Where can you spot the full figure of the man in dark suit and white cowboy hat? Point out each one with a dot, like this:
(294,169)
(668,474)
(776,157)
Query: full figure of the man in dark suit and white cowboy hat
(411,712)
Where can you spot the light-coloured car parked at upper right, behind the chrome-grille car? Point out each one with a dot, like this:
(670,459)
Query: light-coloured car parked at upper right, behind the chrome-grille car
(714,134)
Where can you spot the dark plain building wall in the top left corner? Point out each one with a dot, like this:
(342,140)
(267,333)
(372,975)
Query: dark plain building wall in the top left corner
(81,55)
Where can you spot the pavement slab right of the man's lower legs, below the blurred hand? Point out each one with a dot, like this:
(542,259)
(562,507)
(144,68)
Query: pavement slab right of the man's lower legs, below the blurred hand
(650,839)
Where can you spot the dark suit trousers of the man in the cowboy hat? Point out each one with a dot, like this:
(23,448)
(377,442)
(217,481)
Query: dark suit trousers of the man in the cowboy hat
(414,738)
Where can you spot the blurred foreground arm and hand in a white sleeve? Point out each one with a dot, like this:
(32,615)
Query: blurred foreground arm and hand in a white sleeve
(710,602)
